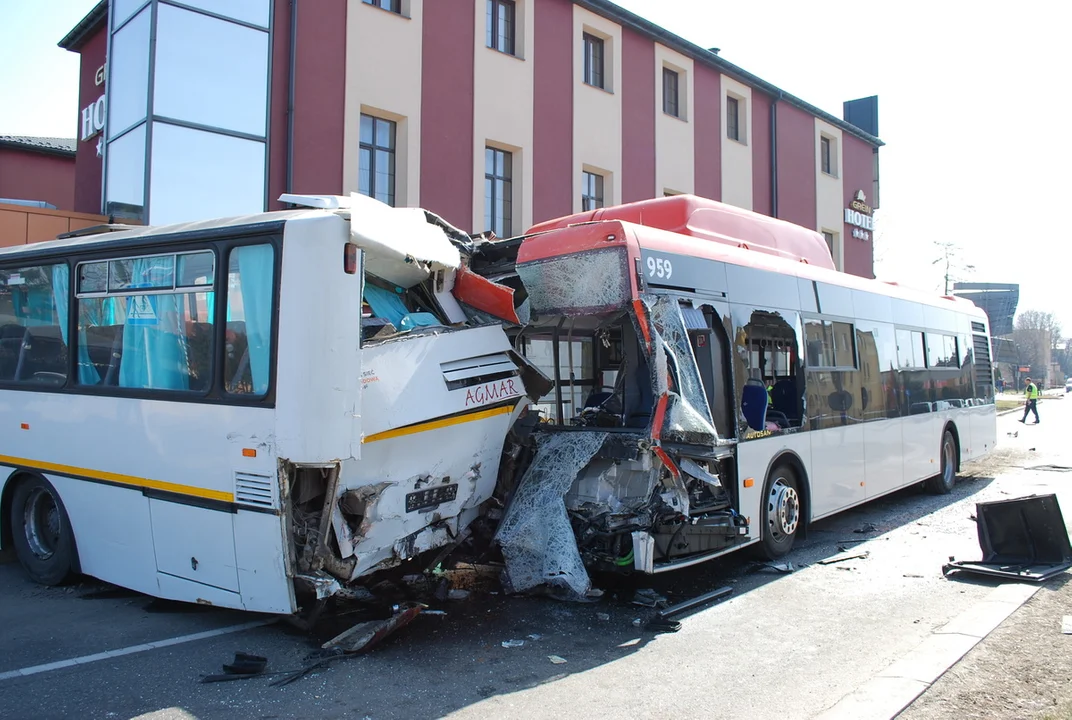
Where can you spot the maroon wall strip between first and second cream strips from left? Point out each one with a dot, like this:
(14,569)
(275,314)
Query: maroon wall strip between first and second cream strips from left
(446,101)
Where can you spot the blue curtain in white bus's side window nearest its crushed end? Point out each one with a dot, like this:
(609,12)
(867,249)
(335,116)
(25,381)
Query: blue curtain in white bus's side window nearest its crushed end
(256,267)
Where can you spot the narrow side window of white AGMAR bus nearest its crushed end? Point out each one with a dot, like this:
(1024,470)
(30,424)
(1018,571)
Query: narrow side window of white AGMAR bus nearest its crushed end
(248,340)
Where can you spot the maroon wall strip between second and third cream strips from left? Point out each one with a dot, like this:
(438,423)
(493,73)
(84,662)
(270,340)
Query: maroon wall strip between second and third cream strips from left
(554,111)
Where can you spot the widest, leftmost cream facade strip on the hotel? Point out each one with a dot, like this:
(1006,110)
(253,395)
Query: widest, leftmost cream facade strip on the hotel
(391,93)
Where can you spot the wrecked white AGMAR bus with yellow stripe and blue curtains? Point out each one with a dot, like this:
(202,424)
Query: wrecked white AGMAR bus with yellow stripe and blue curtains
(210,413)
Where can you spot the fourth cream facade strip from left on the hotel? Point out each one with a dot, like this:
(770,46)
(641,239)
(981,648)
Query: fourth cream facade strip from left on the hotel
(675,138)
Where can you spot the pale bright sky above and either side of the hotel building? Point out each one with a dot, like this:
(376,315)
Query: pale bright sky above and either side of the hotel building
(972,110)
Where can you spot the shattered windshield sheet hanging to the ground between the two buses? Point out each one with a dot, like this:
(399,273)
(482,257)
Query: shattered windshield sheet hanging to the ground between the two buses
(535,535)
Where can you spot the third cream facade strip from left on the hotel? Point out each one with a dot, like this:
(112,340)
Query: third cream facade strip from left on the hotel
(598,112)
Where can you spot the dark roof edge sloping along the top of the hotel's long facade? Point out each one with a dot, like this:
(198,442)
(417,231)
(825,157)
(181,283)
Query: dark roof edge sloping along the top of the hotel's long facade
(627,19)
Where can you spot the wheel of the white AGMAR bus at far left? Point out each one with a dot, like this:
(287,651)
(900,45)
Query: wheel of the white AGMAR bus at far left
(41,532)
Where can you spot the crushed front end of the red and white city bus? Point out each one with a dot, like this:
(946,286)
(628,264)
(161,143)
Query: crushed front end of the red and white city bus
(627,470)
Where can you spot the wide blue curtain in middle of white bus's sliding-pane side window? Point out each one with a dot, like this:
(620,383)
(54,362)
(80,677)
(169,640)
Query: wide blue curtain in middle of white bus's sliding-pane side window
(155,338)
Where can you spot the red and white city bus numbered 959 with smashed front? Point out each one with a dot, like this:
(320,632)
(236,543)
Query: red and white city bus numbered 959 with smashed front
(719,384)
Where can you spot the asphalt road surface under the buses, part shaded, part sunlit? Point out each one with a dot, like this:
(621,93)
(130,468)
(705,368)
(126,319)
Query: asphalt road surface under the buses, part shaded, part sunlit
(783,646)
